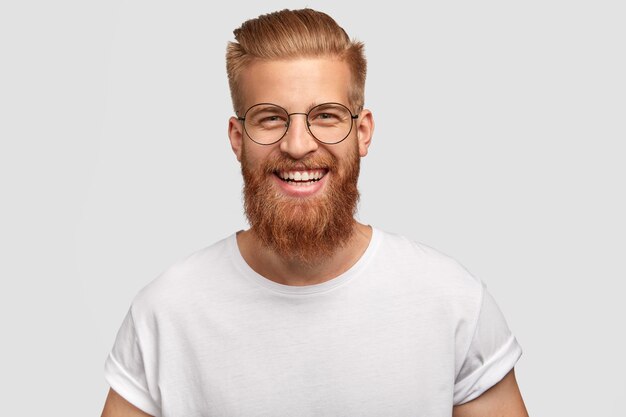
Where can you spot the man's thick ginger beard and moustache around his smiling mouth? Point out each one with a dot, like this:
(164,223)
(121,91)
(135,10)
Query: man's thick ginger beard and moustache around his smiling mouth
(306,230)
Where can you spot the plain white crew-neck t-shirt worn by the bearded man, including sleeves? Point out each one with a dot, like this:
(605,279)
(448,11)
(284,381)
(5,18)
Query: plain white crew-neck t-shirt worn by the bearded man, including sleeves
(407,331)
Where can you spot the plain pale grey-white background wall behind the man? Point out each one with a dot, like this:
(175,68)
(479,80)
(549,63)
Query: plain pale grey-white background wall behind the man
(500,141)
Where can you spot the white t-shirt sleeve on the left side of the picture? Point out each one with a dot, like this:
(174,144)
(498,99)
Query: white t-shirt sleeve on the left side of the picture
(125,371)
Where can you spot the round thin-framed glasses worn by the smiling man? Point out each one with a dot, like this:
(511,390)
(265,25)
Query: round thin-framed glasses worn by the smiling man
(267,123)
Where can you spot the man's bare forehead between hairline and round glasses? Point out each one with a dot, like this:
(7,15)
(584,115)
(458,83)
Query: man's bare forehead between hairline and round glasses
(296,83)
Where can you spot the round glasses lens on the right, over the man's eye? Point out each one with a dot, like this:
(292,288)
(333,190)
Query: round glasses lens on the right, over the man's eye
(330,122)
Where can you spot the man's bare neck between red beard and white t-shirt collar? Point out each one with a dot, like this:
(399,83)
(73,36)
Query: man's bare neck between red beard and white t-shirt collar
(296,272)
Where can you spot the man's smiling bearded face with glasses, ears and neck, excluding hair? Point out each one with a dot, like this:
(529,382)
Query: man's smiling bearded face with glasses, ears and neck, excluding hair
(301,168)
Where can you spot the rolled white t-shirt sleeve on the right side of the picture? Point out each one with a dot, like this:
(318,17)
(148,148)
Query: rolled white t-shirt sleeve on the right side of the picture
(492,353)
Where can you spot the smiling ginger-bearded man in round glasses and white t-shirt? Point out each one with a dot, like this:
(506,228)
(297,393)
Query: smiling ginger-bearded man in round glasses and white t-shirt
(309,313)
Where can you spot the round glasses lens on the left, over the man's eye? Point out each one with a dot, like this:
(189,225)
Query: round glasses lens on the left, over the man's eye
(266,123)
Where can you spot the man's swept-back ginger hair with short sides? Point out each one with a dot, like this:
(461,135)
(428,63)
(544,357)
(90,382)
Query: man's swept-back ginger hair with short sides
(290,34)
